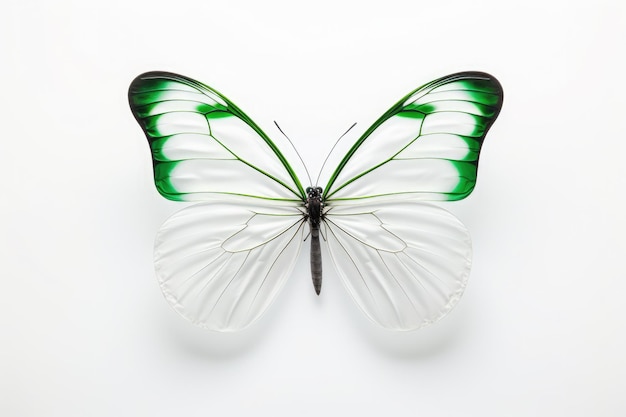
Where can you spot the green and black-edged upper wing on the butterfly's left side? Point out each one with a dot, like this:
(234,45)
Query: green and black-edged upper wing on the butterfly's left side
(203,145)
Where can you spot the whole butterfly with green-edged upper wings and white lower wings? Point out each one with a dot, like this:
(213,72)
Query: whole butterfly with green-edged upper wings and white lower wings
(404,260)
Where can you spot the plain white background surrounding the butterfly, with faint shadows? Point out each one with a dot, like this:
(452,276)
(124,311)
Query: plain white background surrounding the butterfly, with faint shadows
(84,330)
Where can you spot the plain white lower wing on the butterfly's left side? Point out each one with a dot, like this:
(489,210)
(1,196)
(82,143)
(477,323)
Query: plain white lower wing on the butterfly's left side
(221,265)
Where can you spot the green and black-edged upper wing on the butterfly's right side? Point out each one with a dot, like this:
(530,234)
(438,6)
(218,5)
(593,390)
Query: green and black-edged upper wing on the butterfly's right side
(426,146)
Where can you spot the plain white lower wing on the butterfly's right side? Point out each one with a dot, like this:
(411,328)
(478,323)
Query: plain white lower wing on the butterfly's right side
(405,263)
